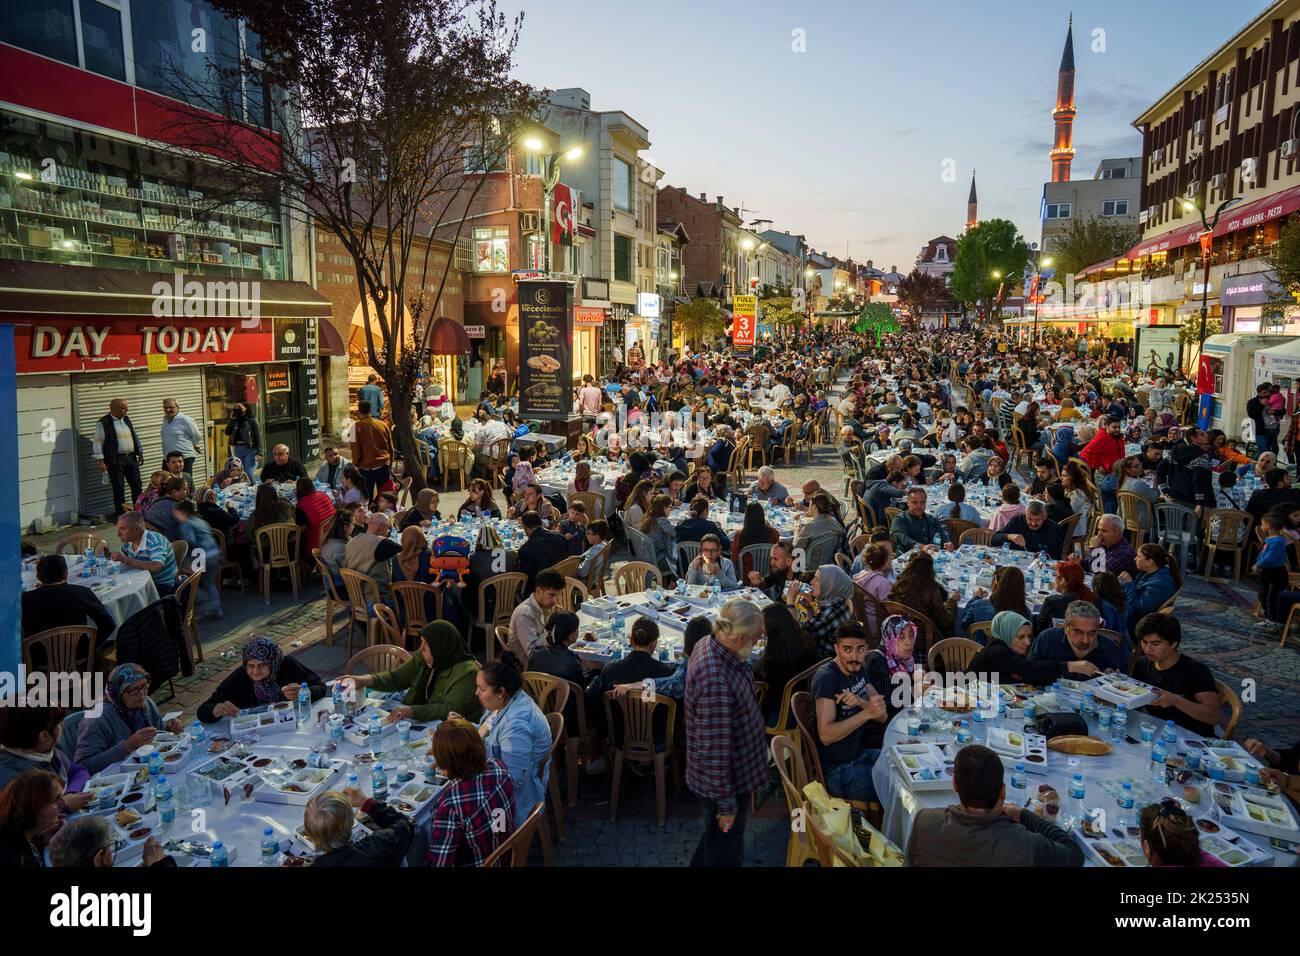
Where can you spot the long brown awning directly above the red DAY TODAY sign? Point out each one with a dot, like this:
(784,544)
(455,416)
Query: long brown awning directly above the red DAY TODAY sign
(80,291)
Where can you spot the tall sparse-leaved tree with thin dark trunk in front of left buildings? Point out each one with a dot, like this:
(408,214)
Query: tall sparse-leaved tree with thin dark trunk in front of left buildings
(363,131)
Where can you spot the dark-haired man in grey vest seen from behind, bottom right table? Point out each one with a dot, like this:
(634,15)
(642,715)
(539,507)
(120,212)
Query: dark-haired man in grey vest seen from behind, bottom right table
(985,832)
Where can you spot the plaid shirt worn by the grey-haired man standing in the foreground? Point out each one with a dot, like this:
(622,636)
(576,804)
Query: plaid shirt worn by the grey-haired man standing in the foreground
(725,728)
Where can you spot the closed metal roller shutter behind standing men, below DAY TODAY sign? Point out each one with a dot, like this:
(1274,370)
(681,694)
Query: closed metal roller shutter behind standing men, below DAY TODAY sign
(144,395)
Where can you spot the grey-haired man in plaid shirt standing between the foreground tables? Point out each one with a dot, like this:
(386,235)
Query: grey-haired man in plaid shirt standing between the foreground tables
(725,733)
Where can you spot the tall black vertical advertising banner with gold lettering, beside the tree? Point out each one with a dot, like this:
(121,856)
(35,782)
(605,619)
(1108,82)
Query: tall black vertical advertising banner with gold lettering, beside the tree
(545,351)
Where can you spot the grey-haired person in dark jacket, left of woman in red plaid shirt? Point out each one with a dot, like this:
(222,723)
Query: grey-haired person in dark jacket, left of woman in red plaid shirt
(328,823)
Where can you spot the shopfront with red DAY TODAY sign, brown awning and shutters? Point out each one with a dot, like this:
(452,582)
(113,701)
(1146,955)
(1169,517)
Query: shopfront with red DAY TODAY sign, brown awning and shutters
(97,340)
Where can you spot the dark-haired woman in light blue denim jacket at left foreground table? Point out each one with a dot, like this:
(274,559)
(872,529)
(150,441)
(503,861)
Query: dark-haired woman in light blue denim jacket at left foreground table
(514,732)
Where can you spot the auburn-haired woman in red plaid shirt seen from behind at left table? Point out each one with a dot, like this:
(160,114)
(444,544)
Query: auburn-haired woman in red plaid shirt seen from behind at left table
(465,829)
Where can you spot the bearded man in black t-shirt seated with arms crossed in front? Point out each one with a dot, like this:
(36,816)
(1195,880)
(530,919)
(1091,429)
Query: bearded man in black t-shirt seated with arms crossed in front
(851,715)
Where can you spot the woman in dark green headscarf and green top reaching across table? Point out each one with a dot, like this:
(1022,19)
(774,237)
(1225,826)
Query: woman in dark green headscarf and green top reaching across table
(437,681)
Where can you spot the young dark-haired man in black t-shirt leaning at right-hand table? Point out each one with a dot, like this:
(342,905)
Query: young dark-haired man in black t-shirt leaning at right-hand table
(1186,687)
